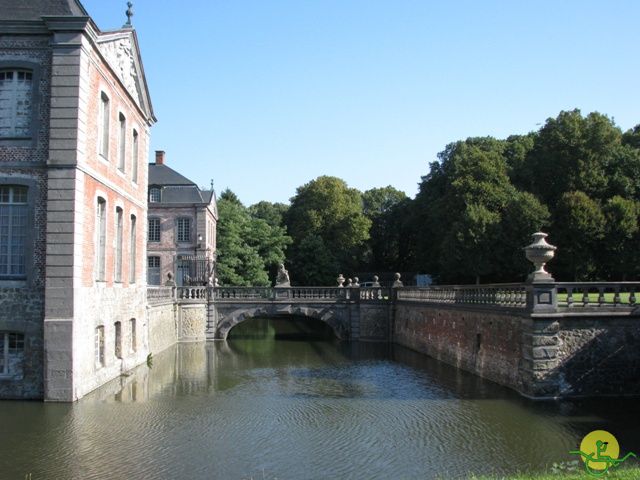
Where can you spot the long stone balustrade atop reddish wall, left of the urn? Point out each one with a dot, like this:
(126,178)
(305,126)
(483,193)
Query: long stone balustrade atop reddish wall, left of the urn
(508,295)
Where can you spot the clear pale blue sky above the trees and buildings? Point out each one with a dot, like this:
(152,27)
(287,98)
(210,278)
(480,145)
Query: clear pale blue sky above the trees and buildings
(263,96)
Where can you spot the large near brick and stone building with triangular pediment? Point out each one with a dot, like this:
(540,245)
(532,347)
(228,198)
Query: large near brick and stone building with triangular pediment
(75,116)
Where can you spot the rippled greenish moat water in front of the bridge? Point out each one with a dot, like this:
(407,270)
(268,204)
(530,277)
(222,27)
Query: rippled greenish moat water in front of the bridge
(267,408)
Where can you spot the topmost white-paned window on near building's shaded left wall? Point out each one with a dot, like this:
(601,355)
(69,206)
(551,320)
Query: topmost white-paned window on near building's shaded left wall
(15,103)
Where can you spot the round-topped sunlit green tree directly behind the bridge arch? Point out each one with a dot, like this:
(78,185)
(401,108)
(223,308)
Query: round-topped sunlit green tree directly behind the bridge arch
(326,210)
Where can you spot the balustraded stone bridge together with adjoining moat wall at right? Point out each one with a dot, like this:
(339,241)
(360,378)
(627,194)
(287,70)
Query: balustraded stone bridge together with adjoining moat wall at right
(543,339)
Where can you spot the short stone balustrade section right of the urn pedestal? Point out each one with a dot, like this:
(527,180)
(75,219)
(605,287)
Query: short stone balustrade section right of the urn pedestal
(598,294)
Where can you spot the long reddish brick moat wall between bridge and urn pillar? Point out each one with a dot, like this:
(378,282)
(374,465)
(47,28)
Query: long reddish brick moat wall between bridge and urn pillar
(485,342)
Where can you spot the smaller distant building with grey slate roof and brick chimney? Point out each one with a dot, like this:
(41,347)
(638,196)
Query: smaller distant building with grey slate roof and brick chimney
(181,233)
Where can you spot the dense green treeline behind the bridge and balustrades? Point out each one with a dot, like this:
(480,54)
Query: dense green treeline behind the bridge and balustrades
(577,178)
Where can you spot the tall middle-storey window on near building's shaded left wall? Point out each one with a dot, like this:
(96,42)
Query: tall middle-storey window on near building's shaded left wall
(13,230)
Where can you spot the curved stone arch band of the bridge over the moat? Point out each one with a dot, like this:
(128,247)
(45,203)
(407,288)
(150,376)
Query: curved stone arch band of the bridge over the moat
(327,315)
